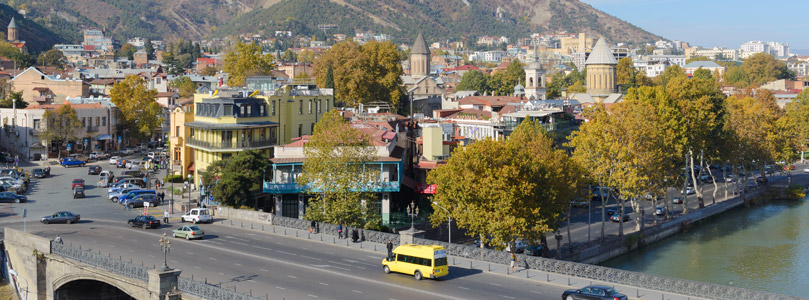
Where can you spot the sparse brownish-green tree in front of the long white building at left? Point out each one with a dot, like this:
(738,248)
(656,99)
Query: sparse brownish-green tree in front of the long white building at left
(60,126)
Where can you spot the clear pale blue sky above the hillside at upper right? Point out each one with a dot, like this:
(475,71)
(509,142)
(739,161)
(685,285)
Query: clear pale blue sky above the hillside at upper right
(723,23)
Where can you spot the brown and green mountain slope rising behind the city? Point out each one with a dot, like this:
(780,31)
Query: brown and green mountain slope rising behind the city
(401,19)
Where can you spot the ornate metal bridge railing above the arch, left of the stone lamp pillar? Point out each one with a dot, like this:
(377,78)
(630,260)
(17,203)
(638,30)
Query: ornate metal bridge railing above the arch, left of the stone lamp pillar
(101,261)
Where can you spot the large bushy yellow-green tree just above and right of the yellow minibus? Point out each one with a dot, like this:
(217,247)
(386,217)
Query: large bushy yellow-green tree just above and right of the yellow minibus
(501,190)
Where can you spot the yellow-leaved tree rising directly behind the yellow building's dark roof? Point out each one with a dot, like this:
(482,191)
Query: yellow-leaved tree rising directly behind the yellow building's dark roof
(245,60)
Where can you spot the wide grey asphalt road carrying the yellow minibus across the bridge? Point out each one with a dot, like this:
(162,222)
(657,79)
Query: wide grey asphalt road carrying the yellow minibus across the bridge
(261,263)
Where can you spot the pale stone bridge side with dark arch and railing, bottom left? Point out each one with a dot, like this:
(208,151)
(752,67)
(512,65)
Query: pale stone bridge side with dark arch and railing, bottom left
(43,270)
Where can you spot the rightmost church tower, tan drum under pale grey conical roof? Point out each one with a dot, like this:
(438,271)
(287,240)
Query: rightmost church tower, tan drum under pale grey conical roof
(601,66)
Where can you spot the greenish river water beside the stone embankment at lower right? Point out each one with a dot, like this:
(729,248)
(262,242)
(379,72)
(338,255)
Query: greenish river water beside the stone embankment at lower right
(764,247)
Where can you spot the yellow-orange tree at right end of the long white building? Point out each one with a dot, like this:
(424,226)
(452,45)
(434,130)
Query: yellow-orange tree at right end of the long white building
(137,104)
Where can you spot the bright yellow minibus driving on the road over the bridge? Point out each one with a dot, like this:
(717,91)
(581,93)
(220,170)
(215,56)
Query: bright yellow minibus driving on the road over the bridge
(418,260)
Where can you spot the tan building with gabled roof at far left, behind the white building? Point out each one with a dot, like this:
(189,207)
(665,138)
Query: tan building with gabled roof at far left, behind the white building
(39,88)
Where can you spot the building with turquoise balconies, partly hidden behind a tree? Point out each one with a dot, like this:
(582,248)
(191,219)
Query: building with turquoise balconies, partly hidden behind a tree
(290,198)
